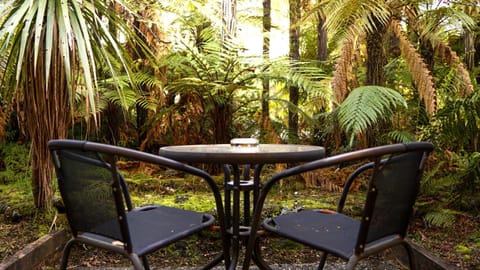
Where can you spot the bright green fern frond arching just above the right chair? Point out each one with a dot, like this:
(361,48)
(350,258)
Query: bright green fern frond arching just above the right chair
(366,106)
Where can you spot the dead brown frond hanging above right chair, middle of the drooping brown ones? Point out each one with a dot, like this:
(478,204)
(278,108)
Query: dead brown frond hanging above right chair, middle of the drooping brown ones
(421,75)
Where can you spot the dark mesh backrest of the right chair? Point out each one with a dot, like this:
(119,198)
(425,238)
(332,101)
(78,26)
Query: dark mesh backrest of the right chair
(391,194)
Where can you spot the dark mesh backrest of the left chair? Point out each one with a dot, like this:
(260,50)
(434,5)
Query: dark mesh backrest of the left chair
(94,196)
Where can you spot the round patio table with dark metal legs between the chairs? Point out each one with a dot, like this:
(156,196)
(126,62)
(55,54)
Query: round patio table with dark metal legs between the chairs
(234,156)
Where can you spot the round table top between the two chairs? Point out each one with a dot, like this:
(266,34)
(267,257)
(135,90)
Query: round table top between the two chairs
(227,154)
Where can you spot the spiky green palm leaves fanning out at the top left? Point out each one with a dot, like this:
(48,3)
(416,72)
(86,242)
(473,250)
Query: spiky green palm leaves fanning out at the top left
(68,28)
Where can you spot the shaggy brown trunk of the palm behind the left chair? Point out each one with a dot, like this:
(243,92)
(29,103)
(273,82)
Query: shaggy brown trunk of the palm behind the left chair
(46,108)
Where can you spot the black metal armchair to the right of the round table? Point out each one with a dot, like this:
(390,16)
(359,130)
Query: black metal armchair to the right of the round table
(394,171)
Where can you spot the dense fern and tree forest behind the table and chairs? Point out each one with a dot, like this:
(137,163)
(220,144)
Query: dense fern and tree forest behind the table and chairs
(344,74)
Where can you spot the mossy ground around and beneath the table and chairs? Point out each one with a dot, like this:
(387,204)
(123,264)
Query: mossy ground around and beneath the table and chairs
(20,223)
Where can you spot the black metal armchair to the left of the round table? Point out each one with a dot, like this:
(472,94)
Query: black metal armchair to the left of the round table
(99,209)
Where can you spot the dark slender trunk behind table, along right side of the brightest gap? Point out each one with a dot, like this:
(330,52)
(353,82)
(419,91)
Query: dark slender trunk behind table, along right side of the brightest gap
(294,55)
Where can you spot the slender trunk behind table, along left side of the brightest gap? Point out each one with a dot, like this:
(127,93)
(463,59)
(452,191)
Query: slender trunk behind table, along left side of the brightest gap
(267,26)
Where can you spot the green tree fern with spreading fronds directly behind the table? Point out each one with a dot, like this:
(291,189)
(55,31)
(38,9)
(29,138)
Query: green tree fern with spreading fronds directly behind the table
(221,76)
